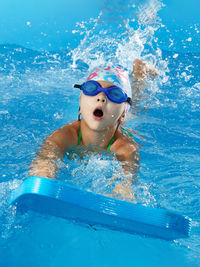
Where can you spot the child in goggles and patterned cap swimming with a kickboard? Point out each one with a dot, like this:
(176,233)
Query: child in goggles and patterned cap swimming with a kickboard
(104,101)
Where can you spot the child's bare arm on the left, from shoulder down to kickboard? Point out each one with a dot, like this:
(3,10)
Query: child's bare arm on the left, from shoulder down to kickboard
(53,150)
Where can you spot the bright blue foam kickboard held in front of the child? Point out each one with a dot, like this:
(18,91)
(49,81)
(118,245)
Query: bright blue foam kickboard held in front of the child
(60,199)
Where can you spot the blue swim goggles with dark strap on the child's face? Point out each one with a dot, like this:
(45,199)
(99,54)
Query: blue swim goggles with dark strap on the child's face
(114,93)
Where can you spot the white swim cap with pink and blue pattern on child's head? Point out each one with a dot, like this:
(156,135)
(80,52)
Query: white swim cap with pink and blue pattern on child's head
(115,74)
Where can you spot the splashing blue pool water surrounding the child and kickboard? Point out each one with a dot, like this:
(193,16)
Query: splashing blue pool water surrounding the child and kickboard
(37,97)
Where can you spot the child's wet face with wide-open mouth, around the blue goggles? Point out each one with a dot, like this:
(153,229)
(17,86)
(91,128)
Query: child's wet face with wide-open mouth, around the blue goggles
(98,111)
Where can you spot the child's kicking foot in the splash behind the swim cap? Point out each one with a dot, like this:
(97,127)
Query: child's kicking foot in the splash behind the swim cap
(142,71)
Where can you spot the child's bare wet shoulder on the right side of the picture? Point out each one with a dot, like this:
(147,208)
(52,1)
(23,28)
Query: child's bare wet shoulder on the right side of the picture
(124,146)
